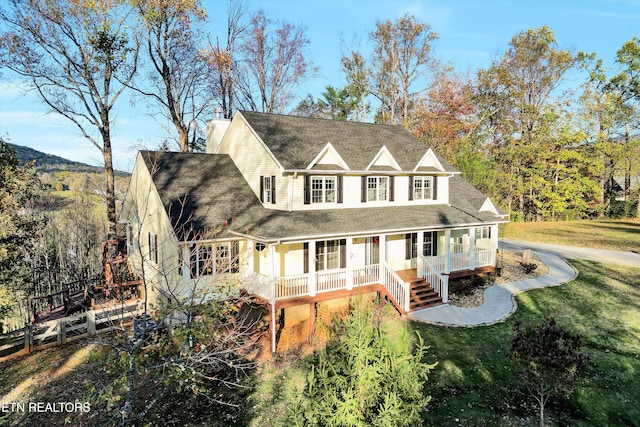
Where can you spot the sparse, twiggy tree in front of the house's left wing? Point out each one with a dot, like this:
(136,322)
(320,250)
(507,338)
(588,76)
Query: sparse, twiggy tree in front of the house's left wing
(189,337)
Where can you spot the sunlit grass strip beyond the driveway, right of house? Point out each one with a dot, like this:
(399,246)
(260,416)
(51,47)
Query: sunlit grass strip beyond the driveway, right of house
(622,235)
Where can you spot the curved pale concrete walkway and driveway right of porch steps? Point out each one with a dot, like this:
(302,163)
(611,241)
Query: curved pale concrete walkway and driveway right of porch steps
(498,299)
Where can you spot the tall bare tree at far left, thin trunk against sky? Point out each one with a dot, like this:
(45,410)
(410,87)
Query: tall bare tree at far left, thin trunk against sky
(78,57)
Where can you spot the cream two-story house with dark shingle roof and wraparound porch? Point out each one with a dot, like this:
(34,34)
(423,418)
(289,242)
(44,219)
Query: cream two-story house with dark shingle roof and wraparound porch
(298,211)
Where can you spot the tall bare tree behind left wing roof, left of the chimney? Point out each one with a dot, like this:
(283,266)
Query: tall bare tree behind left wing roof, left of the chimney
(181,79)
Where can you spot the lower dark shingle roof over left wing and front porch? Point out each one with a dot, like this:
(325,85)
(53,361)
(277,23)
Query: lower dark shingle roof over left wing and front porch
(204,190)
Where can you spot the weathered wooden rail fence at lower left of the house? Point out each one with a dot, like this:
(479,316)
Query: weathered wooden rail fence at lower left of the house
(61,331)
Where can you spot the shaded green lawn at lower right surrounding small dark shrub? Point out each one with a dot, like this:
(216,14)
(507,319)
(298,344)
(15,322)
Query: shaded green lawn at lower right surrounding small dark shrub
(475,383)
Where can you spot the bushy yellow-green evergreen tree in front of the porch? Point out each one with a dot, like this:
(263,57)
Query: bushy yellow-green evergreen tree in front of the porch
(372,373)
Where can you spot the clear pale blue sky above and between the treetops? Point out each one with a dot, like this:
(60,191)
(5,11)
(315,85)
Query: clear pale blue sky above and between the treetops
(472,33)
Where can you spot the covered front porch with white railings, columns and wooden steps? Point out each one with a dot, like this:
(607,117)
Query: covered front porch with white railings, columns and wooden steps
(398,264)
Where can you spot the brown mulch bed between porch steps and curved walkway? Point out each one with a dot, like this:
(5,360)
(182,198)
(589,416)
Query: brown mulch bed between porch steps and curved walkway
(516,266)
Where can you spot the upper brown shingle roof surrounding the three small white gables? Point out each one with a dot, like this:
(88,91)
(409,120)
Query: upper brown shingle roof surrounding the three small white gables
(296,141)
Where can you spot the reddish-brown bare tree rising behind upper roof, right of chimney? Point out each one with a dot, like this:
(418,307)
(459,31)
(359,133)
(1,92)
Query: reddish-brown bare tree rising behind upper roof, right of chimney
(273,64)
